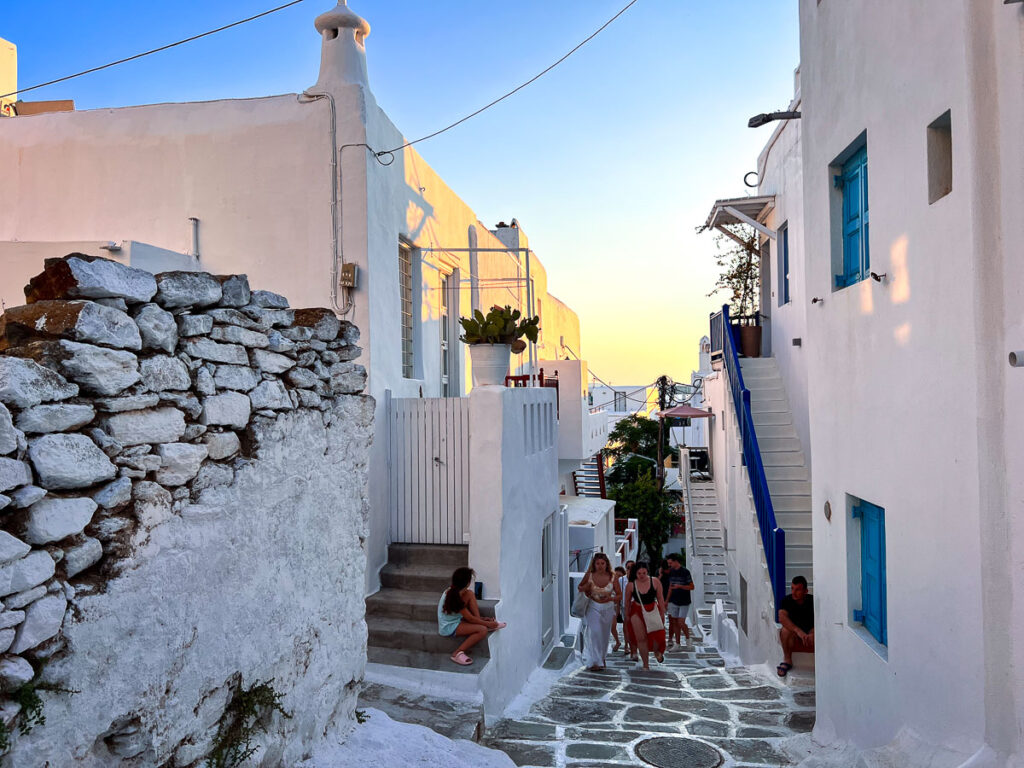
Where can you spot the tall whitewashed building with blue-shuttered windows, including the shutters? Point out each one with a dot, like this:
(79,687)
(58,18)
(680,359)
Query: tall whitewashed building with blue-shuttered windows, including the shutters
(895,359)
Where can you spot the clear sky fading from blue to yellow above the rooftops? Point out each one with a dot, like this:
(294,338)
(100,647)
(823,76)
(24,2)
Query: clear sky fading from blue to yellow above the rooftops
(609,162)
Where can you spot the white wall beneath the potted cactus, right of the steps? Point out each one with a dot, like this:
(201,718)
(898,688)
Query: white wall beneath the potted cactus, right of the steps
(513,440)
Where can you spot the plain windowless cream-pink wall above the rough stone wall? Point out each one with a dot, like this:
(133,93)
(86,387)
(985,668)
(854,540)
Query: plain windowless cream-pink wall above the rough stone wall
(255,173)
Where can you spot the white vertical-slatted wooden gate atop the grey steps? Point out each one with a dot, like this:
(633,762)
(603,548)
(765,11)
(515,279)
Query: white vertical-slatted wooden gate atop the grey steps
(430,471)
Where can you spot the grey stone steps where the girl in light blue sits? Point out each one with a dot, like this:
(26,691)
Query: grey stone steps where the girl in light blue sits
(402,618)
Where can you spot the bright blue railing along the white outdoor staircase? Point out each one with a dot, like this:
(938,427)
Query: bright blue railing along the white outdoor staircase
(773,537)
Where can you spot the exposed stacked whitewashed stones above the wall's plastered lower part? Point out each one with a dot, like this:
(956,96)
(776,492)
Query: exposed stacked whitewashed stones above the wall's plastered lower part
(127,399)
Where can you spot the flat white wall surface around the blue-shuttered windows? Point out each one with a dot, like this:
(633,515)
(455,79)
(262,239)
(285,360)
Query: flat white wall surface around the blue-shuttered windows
(886,361)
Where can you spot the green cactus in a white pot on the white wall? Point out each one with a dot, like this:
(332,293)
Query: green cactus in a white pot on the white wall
(493,338)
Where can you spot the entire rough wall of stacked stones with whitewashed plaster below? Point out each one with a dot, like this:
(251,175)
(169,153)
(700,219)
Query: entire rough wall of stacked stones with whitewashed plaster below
(183,511)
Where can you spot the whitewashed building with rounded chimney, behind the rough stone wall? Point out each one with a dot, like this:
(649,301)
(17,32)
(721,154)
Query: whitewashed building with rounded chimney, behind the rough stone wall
(291,191)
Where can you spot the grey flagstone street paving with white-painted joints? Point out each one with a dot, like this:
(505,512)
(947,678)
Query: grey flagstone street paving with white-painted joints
(598,719)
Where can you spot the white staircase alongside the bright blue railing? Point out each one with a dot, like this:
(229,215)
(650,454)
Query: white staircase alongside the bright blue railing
(783,457)
